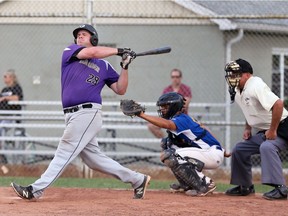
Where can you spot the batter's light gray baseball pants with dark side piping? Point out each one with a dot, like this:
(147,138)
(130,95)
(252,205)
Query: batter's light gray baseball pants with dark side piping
(79,138)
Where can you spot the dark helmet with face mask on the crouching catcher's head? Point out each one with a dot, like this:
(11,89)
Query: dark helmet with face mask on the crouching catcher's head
(174,100)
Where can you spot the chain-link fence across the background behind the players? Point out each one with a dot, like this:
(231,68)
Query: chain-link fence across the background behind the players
(203,35)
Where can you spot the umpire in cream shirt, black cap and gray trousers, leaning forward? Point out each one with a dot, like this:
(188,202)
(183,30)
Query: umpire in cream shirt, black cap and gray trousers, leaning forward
(265,115)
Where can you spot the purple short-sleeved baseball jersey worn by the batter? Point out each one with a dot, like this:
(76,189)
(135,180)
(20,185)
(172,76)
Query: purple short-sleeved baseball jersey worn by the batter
(83,80)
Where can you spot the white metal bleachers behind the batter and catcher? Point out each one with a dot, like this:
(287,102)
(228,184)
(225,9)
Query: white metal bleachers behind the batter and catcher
(117,142)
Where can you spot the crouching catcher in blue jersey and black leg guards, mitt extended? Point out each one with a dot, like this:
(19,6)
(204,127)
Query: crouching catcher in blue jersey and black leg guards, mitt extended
(189,146)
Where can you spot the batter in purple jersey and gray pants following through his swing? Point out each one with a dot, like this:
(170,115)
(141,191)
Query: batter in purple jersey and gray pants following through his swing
(83,76)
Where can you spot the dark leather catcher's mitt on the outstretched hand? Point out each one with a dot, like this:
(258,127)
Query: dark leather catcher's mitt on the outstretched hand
(131,108)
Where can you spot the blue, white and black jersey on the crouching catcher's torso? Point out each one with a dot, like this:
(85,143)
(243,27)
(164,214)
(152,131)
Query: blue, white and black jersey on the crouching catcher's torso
(190,133)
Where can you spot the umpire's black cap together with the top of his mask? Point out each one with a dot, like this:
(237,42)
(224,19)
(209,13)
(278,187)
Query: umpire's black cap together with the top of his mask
(239,66)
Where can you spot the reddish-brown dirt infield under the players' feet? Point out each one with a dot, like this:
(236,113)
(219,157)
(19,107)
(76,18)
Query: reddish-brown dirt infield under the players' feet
(79,201)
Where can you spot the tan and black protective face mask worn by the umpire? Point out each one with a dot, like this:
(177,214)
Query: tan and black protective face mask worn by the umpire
(233,77)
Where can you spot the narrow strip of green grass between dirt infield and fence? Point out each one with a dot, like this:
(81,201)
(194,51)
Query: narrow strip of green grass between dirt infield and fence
(111,183)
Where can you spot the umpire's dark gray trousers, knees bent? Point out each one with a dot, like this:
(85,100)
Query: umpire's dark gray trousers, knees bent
(271,165)
